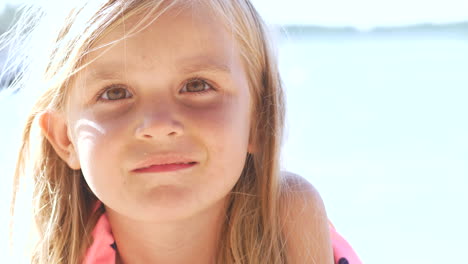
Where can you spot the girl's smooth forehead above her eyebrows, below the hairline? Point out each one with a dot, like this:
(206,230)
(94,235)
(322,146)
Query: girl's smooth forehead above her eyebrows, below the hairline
(184,36)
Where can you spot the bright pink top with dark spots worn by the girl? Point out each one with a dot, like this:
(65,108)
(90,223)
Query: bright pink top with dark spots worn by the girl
(102,251)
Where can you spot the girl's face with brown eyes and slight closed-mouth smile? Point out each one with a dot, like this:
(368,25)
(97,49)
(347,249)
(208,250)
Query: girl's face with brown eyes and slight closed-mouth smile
(160,122)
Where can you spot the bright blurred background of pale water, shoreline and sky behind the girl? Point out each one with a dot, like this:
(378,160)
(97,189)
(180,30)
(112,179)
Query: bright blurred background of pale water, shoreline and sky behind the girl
(377,110)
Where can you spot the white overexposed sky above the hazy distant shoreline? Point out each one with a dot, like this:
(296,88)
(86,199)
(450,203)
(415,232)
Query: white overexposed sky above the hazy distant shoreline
(362,14)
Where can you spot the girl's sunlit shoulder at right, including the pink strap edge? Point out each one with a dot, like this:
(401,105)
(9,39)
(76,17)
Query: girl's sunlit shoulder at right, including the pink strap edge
(308,232)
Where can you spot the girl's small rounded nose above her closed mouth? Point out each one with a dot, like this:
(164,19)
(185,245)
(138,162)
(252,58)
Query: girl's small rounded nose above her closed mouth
(159,125)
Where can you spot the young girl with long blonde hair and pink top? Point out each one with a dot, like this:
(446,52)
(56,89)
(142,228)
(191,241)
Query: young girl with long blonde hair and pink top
(160,131)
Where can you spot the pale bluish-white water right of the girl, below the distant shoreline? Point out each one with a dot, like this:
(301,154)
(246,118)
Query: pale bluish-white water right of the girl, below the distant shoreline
(377,122)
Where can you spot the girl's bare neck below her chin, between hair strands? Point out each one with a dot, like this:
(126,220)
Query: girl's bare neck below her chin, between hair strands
(192,240)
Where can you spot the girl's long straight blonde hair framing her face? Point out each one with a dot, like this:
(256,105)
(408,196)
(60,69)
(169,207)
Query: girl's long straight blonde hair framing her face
(63,202)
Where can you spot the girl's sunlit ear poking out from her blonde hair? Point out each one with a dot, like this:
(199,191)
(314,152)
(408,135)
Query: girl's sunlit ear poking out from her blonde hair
(55,129)
